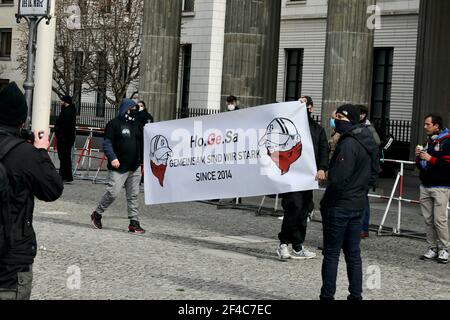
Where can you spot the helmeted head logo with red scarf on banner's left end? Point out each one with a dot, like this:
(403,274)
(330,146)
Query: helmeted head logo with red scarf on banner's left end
(160,153)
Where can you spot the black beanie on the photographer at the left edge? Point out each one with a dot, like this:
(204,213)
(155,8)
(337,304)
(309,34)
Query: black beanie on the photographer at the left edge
(13,106)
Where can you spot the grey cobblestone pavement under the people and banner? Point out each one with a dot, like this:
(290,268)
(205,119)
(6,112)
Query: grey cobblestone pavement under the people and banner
(195,251)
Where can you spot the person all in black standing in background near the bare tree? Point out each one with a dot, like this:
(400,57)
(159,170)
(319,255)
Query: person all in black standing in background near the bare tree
(65,137)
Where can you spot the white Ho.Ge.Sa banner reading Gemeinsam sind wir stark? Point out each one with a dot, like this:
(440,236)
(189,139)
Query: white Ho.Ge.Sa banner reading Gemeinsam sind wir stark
(250,152)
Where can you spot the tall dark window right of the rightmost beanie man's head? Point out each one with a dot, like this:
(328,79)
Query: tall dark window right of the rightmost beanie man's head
(382,83)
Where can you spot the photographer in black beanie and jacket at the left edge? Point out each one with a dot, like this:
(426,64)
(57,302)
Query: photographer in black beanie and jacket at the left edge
(31,174)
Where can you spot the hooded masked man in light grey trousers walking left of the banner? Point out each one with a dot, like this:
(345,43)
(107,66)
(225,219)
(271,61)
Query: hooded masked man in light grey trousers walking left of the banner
(122,145)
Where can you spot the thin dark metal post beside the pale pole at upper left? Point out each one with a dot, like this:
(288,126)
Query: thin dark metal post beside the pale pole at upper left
(28,85)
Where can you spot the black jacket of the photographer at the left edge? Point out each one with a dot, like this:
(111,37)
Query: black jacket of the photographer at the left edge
(31,174)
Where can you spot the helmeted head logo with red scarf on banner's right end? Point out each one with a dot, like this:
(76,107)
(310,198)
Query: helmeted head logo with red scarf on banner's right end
(283,143)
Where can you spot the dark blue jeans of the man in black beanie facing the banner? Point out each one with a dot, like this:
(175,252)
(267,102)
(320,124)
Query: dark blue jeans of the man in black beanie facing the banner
(341,230)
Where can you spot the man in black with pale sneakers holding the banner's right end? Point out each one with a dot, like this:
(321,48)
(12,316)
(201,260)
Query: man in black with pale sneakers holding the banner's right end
(297,205)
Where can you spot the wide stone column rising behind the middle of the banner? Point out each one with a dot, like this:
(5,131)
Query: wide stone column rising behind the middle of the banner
(250,64)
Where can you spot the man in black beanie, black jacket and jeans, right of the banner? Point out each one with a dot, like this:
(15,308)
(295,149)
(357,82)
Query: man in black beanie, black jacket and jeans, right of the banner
(354,166)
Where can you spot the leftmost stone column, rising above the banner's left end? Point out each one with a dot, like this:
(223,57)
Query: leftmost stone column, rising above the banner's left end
(160,57)
